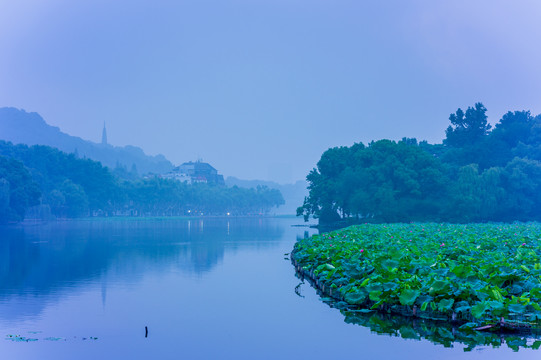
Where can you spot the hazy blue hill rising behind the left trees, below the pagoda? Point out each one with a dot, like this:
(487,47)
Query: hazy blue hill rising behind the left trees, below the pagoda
(21,127)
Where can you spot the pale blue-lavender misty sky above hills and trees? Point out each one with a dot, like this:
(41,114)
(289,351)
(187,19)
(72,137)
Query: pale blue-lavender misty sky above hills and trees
(260,89)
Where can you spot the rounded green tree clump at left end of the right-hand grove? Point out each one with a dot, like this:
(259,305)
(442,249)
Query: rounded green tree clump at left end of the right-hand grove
(386,180)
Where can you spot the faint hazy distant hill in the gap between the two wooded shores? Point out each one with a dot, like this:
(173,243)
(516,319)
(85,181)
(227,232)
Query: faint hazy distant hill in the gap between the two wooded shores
(293,193)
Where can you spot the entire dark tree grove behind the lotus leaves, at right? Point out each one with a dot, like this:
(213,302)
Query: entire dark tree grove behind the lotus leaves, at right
(476,174)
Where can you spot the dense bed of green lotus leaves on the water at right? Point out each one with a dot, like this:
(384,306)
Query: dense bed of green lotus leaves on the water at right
(476,274)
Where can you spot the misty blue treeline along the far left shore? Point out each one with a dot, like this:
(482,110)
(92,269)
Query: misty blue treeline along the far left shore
(41,181)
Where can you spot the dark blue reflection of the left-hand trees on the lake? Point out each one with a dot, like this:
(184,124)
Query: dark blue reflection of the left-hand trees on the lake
(41,259)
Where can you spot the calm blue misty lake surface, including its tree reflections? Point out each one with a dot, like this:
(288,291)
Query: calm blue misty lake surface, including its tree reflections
(205,288)
